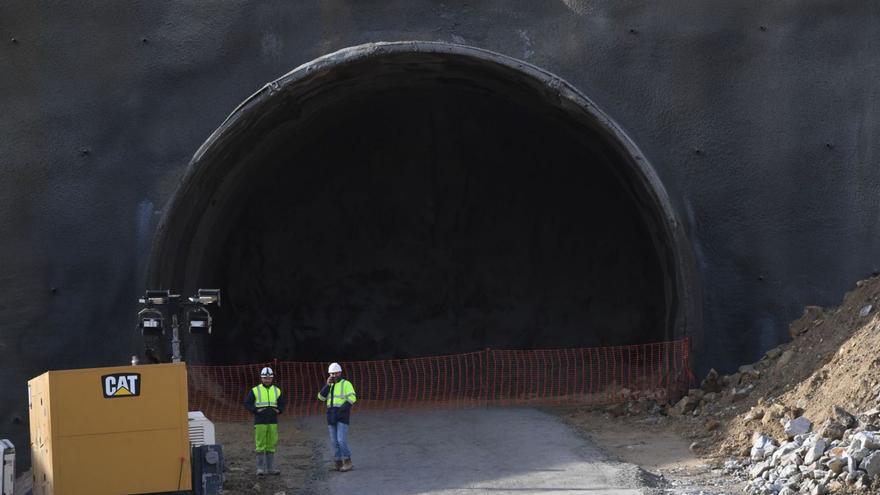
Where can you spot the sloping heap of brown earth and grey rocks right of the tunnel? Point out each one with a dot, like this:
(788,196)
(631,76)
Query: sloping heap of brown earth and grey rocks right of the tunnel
(783,423)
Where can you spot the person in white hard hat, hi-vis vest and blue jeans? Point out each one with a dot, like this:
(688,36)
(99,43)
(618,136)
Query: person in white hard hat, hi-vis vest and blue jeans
(339,395)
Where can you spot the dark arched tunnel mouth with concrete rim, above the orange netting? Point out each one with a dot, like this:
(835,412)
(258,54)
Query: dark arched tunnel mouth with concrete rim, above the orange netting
(412,199)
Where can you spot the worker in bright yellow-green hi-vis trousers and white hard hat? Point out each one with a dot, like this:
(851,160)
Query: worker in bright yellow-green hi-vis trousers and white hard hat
(265,402)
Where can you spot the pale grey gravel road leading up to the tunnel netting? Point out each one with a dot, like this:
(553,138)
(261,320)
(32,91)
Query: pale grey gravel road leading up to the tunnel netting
(453,452)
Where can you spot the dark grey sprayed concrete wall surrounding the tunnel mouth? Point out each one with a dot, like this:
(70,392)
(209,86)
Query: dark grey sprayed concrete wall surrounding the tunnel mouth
(761,121)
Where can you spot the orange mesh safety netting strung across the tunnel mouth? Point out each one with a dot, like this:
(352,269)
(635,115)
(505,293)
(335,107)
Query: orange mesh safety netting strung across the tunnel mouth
(600,375)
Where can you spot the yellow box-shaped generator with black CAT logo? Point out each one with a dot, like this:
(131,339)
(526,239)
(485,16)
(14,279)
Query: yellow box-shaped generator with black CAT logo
(113,431)
